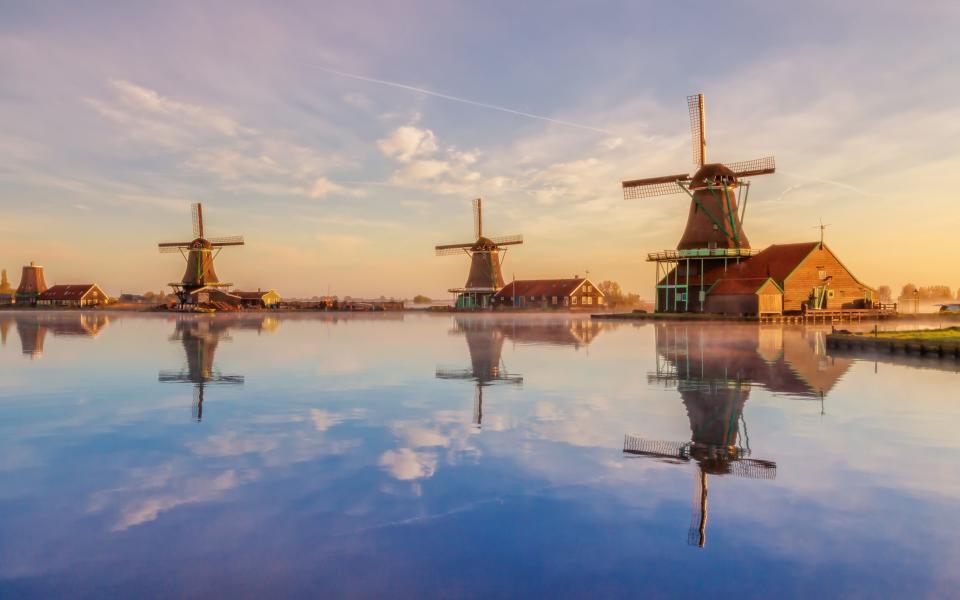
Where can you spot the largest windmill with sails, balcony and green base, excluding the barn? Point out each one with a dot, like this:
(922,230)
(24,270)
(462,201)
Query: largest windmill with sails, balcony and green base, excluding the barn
(714,231)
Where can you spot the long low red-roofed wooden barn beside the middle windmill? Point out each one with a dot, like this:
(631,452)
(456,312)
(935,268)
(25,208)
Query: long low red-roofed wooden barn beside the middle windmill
(575,293)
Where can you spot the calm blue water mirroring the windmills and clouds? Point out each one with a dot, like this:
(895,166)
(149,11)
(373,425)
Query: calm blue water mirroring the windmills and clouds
(418,455)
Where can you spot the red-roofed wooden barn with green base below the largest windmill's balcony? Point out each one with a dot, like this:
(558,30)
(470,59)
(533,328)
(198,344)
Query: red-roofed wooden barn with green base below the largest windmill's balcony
(781,279)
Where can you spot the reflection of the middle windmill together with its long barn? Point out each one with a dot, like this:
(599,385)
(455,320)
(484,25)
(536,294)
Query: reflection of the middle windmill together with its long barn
(485,339)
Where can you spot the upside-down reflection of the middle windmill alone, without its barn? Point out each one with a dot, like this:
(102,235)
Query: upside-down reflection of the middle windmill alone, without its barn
(485,343)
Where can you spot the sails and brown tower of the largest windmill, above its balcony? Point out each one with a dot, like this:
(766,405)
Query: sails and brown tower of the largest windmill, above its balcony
(713,220)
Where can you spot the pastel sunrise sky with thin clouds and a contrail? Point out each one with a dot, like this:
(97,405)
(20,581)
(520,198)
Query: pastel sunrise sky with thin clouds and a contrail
(345,140)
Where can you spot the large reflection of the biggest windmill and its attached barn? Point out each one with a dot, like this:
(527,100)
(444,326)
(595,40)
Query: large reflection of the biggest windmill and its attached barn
(714,369)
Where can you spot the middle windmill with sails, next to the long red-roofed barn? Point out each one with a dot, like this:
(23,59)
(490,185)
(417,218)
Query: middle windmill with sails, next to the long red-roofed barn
(485,276)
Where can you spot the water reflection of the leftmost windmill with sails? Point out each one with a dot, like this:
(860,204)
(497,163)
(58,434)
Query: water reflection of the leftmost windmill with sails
(200,337)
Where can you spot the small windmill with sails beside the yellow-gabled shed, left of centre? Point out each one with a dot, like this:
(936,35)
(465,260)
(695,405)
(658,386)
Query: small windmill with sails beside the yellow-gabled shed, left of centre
(199,254)
